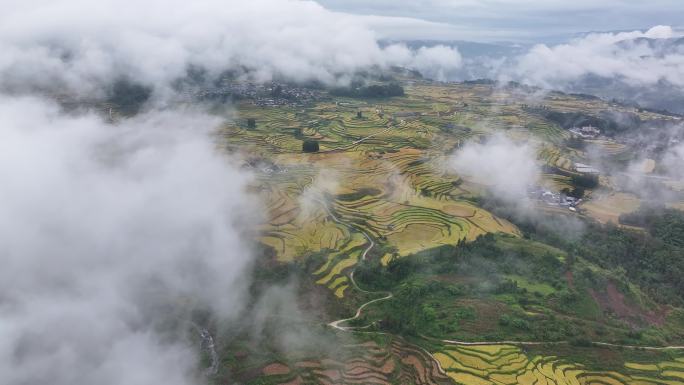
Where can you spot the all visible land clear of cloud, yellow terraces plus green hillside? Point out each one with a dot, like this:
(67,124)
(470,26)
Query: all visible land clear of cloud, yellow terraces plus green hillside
(460,266)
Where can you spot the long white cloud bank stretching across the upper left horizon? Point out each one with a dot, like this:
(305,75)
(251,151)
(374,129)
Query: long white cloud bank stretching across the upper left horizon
(80,46)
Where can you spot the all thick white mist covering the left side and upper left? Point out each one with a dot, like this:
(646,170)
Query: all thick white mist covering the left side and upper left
(116,230)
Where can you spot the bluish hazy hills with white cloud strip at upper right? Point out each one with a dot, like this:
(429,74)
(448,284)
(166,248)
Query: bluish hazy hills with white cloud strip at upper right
(580,65)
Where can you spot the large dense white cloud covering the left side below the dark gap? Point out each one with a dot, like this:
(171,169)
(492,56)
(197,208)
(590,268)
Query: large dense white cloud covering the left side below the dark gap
(103,226)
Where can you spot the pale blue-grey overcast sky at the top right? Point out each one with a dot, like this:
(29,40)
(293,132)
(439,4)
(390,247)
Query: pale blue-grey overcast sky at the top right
(524,20)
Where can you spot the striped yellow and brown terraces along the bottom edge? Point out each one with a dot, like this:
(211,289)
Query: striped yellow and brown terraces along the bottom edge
(399,362)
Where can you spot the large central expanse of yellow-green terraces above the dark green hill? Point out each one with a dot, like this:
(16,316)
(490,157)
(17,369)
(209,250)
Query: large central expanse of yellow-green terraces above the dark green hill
(382,169)
